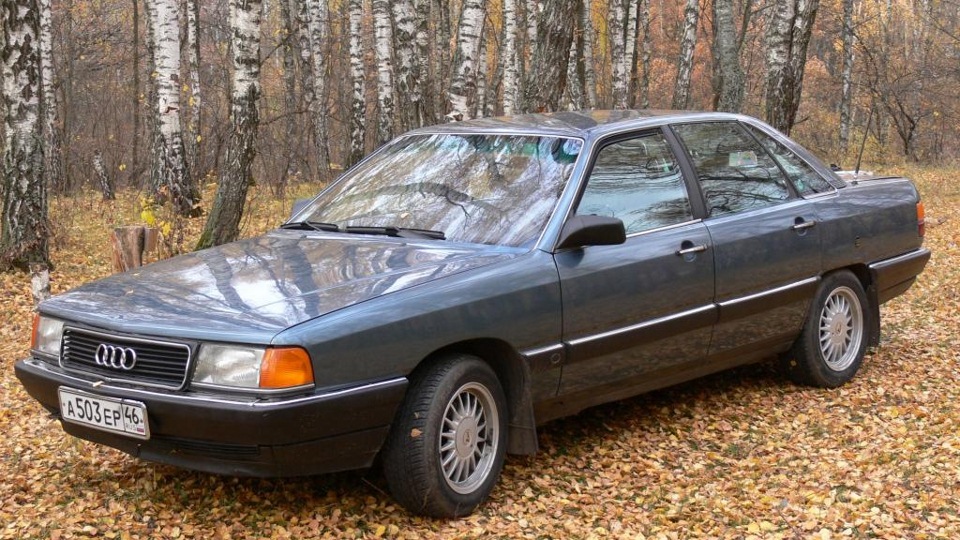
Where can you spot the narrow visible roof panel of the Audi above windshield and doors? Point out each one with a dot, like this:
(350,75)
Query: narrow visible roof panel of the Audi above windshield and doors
(581,124)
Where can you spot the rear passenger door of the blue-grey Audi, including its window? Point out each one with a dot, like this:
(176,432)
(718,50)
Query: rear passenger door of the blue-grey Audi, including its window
(765,238)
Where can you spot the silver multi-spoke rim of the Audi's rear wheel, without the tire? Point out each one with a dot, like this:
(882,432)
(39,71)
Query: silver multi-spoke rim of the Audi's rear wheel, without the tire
(841,329)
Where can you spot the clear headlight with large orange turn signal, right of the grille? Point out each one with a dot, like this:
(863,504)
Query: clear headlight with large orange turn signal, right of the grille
(251,368)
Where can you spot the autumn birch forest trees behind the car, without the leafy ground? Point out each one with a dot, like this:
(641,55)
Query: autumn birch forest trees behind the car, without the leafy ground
(170,97)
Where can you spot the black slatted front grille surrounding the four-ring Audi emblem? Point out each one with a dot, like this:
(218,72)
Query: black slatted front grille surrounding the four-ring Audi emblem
(159,363)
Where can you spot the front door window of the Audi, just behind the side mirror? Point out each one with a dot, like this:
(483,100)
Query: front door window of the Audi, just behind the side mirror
(638,181)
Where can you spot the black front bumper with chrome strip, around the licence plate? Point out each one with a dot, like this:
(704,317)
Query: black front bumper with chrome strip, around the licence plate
(304,434)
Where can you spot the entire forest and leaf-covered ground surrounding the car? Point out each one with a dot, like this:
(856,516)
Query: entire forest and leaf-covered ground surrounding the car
(119,112)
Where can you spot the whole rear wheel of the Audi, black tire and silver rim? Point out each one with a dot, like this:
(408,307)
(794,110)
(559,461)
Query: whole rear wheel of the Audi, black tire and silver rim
(834,339)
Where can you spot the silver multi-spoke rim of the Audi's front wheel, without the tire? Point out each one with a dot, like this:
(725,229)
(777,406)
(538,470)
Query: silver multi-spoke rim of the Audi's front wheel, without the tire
(469,438)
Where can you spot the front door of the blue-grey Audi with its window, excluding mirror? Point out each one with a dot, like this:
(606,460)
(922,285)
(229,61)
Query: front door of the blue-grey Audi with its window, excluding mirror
(637,312)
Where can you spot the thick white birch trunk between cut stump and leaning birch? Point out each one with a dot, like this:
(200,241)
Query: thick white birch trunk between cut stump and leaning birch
(169,176)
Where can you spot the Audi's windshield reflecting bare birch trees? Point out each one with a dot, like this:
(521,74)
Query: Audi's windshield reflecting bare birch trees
(488,189)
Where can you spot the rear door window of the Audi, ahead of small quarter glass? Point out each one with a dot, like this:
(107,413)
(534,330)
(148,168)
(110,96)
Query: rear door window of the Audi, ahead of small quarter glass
(734,171)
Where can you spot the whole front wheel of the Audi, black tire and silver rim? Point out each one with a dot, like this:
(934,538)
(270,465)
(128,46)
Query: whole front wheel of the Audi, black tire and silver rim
(446,448)
